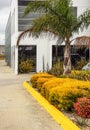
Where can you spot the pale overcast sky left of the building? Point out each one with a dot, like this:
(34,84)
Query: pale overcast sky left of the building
(4,13)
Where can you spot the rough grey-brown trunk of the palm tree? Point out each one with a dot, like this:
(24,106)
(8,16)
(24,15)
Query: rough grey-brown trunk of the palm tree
(67,59)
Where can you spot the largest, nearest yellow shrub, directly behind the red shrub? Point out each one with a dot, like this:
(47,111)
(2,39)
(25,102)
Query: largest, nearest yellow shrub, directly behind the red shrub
(63,96)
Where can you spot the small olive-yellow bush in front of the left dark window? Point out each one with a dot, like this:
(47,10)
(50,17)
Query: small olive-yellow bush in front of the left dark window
(25,66)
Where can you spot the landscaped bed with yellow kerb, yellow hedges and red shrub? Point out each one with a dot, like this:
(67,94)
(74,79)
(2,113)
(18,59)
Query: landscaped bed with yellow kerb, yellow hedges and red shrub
(63,95)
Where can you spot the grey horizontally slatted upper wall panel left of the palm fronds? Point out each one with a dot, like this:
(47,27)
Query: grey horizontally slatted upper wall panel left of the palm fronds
(24,22)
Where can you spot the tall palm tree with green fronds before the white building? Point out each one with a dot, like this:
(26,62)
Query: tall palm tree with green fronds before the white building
(59,20)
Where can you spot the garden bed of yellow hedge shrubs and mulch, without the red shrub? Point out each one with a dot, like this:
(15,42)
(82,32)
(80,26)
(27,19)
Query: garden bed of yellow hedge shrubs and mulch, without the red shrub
(63,93)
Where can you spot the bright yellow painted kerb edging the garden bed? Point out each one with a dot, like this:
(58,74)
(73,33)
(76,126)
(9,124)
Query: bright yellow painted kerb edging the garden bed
(65,123)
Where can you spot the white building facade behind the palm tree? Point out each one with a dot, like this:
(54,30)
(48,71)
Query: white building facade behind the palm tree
(41,46)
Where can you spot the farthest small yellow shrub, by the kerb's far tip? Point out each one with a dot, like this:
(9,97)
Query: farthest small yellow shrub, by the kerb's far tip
(35,77)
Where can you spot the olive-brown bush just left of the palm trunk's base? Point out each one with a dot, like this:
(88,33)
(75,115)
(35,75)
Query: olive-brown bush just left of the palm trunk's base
(57,69)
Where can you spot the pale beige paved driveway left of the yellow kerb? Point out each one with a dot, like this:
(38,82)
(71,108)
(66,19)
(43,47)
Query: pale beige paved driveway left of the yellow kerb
(18,109)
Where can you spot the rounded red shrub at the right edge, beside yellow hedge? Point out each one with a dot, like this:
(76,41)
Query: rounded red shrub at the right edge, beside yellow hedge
(82,107)
